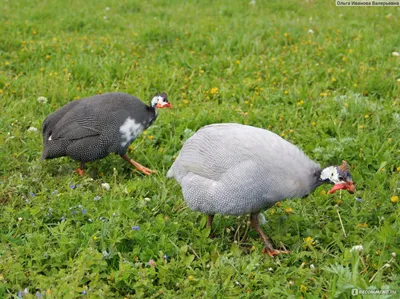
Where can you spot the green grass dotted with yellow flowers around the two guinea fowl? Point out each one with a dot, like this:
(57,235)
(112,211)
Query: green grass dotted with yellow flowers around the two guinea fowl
(321,76)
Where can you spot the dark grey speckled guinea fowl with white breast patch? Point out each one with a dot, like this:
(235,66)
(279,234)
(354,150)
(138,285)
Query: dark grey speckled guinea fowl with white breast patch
(90,128)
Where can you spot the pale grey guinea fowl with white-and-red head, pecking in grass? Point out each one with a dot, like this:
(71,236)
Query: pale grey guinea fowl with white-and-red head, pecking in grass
(234,169)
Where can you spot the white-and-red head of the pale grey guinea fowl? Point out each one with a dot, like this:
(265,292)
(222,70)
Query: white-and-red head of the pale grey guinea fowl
(340,176)
